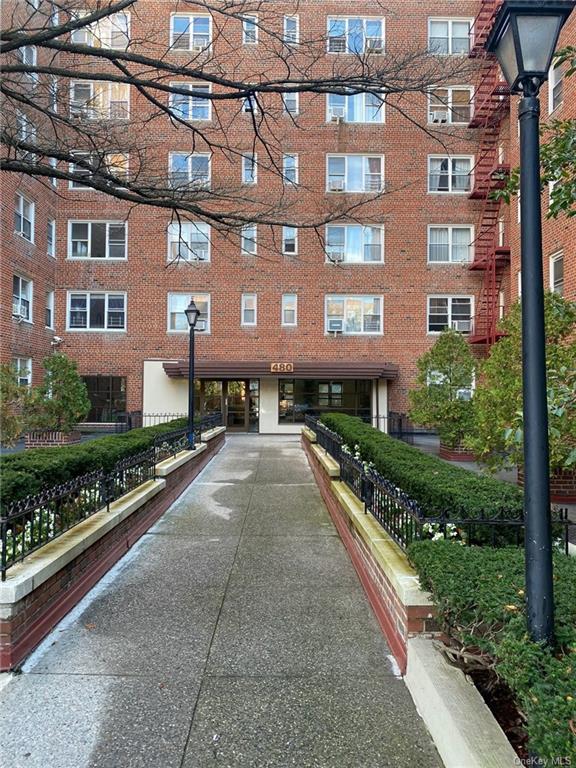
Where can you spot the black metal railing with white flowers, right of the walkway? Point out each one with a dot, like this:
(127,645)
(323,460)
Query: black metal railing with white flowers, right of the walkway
(404,519)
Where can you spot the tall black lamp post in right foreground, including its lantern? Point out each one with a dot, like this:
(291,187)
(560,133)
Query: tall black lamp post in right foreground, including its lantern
(524,38)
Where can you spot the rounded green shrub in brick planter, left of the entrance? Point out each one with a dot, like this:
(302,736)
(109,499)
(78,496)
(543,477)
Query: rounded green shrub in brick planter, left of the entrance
(61,401)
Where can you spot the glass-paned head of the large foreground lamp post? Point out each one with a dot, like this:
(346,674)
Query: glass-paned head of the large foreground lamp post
(524,38)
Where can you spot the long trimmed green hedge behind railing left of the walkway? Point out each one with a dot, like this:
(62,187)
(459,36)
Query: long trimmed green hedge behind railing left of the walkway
(32,471)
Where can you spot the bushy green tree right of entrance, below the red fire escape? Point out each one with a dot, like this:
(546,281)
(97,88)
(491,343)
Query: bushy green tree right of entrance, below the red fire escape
(440,400)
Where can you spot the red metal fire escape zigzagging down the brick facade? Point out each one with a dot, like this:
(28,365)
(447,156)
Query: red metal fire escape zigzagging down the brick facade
(491,250)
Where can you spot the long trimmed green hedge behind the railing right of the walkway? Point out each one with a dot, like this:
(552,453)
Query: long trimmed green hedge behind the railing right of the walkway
(437,486)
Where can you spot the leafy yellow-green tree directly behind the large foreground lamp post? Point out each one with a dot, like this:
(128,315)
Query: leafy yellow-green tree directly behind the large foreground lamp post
(498,426)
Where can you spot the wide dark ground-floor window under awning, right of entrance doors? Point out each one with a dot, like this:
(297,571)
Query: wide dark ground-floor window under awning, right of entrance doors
(297,397)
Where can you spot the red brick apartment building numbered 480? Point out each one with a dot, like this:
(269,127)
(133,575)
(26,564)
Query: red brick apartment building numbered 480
(295,320)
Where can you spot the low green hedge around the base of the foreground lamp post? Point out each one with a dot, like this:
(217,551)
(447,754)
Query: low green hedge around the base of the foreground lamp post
(480,596)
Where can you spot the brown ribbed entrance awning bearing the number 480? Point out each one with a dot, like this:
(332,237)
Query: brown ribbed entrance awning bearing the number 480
(300,369)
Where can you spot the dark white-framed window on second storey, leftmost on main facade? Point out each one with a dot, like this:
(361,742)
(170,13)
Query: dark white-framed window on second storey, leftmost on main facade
(96,311)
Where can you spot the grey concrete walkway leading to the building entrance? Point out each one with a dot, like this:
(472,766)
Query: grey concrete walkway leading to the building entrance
(235,634)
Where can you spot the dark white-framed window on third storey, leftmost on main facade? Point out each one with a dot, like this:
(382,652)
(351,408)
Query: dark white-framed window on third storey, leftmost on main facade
(97,239)
